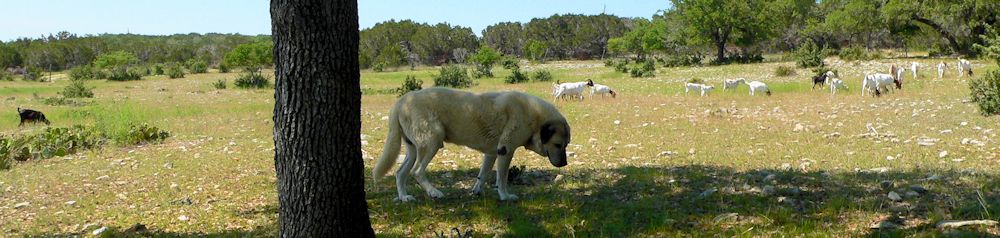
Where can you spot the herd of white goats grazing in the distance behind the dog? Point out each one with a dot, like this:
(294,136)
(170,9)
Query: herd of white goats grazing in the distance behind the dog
(874,83)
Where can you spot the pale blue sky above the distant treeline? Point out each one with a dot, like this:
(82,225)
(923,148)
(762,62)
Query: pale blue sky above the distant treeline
(34,18)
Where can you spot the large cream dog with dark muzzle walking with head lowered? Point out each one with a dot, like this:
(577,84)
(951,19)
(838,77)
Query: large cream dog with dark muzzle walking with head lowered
(494,123)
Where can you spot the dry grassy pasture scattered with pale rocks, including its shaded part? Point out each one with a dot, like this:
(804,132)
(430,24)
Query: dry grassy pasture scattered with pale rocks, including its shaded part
(799,163)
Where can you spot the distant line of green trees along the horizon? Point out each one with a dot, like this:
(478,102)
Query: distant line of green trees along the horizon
(728,30)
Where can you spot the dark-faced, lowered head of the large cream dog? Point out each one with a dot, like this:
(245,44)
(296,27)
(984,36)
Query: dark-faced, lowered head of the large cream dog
(551,140)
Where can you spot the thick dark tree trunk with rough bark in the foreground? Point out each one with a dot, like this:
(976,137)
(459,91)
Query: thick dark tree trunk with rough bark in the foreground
(316,123)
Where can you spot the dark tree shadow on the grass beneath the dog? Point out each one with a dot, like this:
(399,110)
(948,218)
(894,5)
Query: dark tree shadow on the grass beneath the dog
(630,201)
